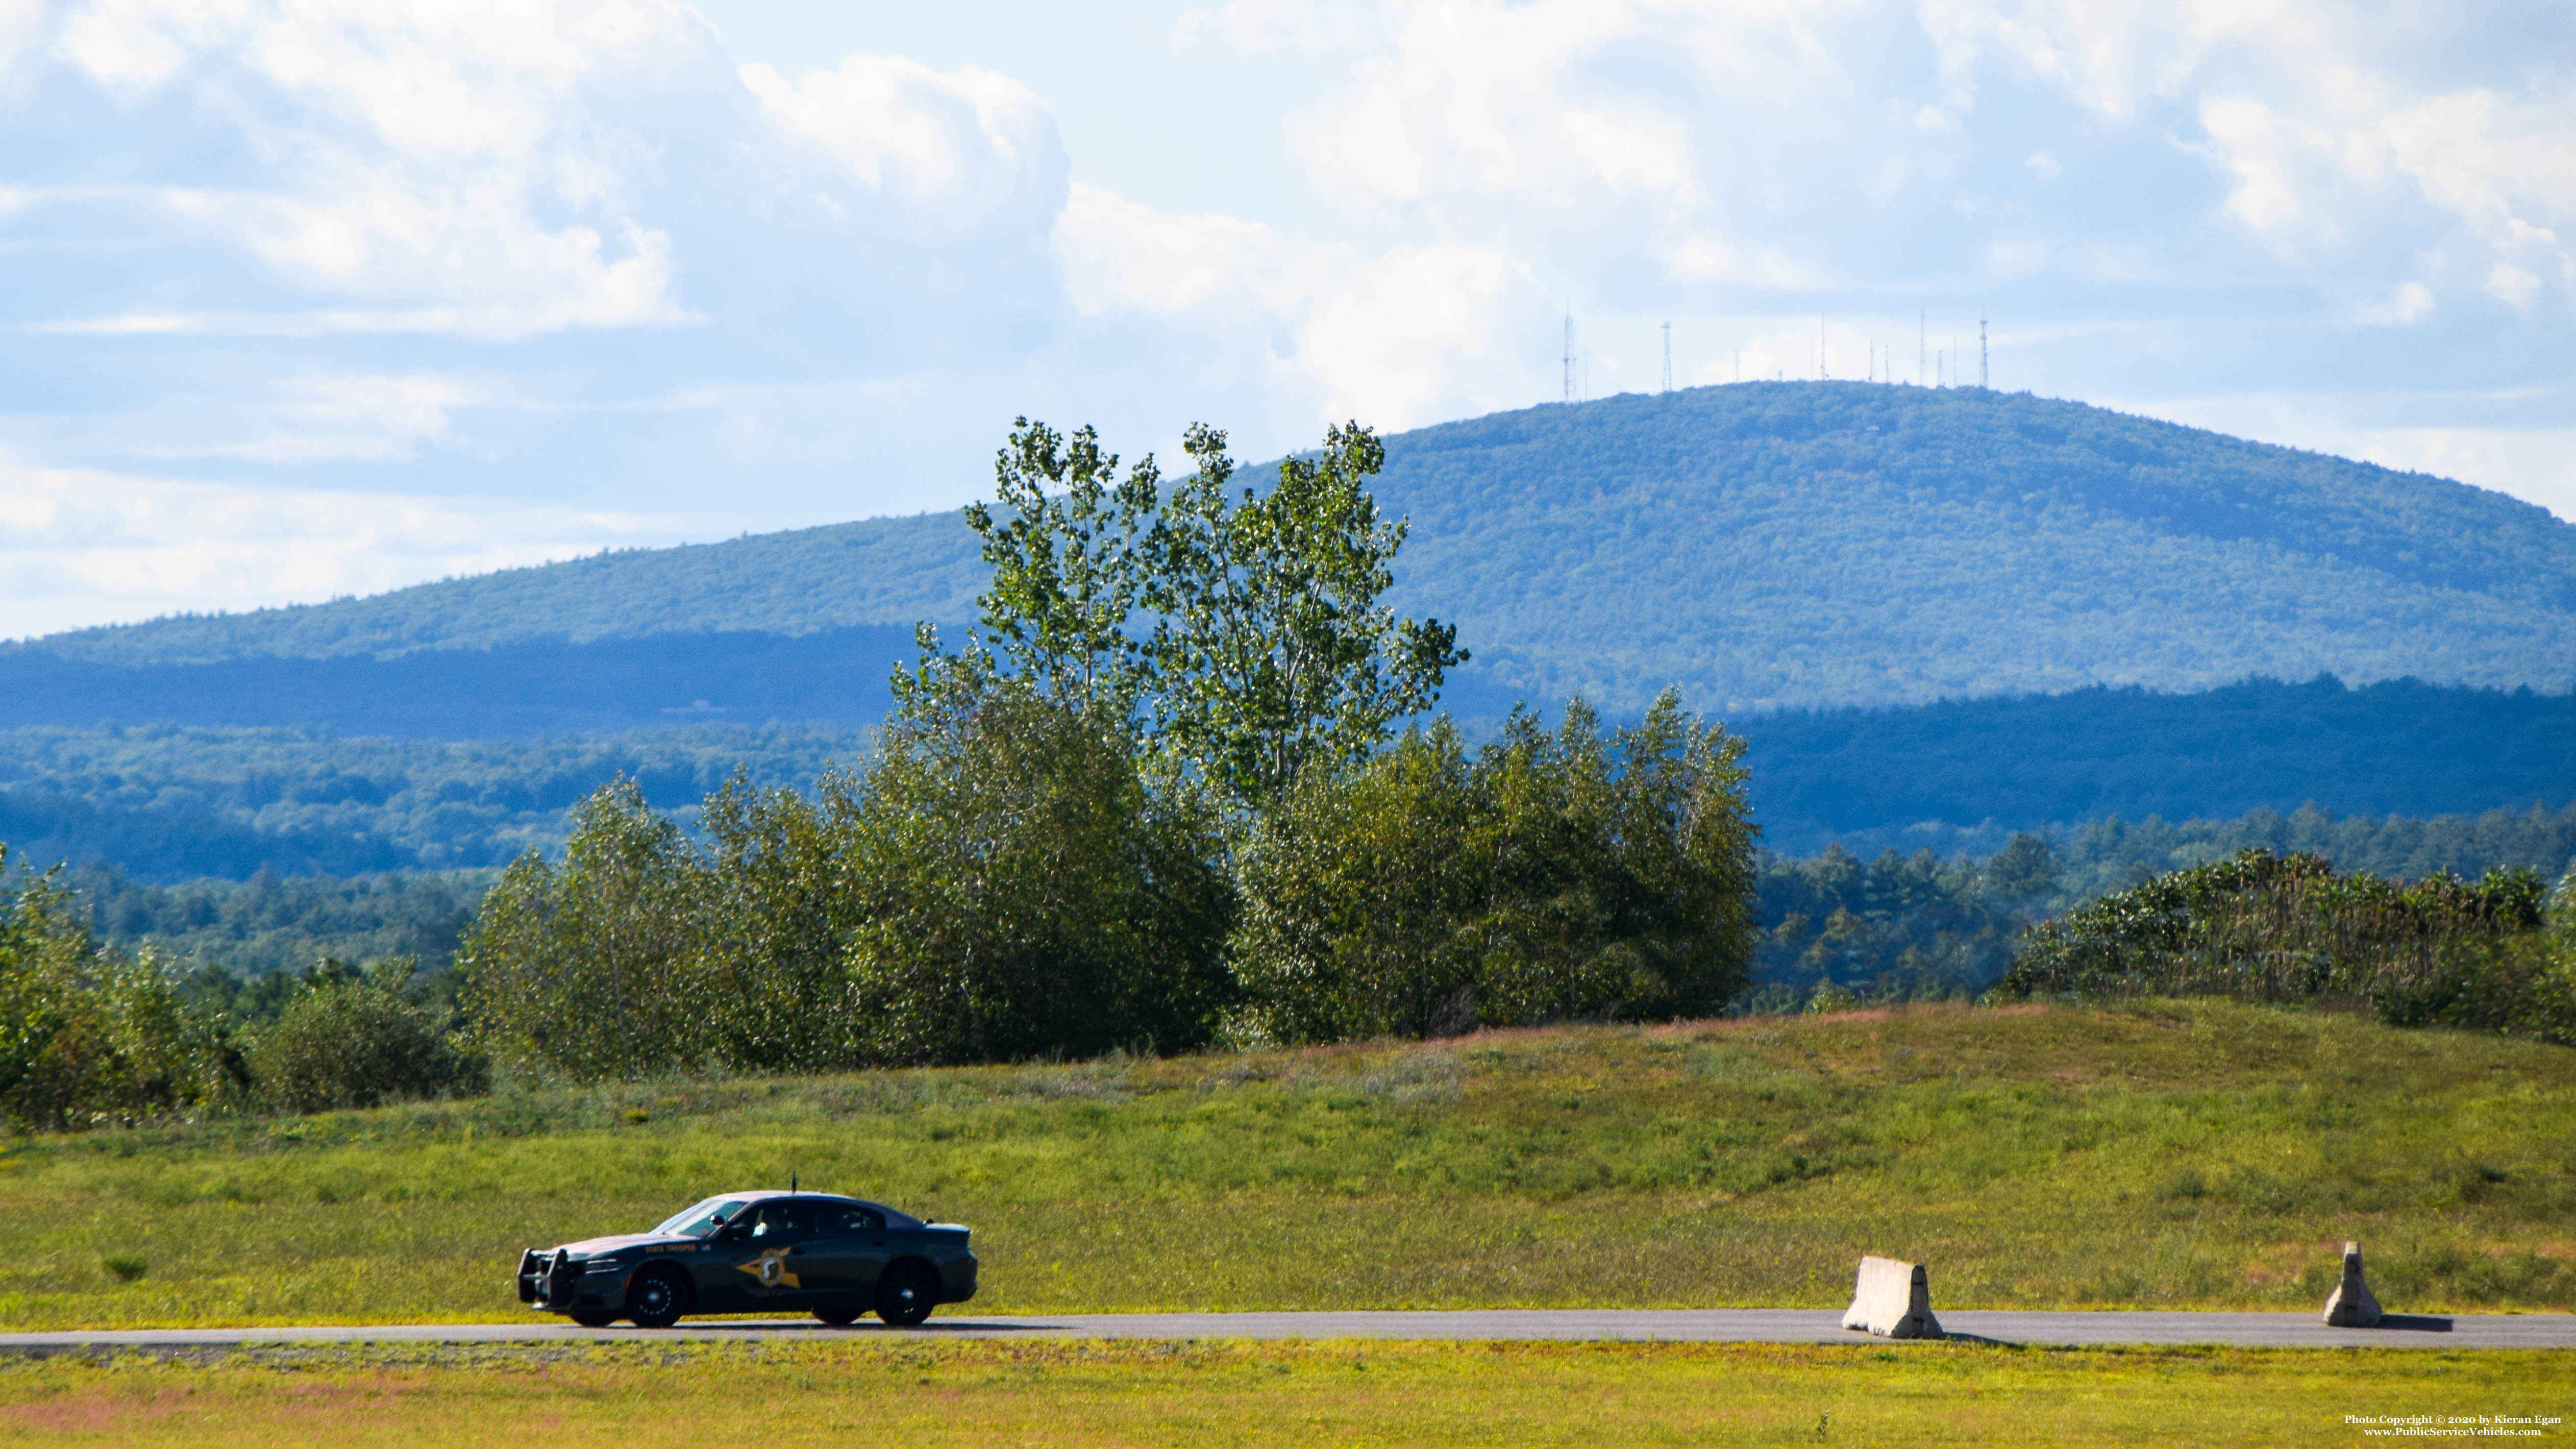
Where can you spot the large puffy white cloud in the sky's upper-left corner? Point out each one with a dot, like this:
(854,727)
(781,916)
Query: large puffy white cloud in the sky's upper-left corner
(470,164)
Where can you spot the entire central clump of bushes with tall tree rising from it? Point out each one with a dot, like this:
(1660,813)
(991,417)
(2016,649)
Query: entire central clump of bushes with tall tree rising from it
(1160,798)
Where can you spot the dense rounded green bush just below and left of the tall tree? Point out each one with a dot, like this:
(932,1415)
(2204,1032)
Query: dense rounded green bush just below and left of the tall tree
(1021,886)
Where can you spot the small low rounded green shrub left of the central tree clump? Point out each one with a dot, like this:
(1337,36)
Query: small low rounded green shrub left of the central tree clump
(359,1040)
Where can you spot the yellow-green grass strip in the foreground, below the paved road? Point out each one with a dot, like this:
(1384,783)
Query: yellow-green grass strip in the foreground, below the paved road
(1305,1394)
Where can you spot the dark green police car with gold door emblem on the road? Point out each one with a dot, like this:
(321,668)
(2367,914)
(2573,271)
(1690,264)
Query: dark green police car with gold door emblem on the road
(759,1252)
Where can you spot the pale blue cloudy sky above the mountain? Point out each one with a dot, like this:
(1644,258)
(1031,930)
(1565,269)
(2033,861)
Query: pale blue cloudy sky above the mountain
(336,295)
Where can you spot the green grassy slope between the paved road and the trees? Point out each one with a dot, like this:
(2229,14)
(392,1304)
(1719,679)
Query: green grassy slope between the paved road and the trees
(2155,1156)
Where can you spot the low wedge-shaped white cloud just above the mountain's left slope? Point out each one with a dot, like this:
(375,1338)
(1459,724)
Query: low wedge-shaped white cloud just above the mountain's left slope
(94,548)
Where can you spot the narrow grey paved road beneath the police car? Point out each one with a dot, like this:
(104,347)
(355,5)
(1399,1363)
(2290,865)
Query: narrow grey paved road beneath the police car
(1681,1327)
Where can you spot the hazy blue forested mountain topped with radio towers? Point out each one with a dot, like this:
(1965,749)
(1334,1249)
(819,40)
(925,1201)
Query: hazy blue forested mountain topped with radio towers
(1761,545)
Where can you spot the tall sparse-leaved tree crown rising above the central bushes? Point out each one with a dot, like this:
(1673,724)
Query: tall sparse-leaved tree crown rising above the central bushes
(1240,630)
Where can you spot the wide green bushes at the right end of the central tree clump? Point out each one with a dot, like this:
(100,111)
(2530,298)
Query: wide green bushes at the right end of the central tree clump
(1552,878)
